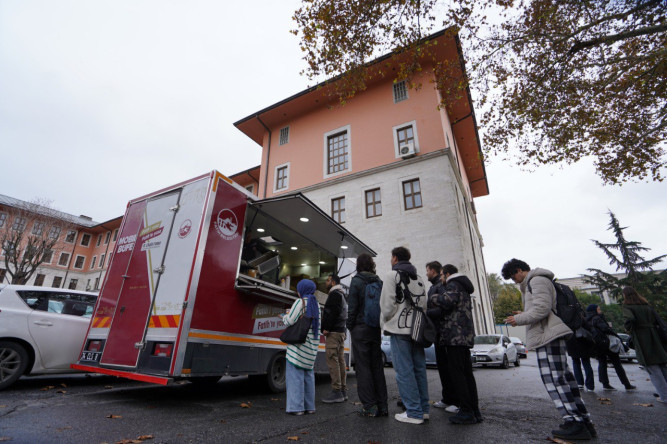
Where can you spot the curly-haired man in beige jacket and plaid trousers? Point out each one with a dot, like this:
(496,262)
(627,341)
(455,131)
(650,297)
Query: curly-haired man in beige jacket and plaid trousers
(546,333)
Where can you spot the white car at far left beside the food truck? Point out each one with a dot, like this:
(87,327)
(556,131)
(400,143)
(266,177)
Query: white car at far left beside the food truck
(41,330)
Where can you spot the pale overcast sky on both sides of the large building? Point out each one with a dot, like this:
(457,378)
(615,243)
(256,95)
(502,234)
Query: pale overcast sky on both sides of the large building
(102,102)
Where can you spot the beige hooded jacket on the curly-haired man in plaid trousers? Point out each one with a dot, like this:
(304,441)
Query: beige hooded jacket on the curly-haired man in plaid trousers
(539,305)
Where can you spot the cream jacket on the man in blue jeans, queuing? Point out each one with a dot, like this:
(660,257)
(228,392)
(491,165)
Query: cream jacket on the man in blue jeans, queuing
(396,316)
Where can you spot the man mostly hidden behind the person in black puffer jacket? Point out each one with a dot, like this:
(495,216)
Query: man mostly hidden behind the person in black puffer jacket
(448,398)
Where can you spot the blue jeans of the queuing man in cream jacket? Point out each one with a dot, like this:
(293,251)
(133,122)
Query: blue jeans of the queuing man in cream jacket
(410,368)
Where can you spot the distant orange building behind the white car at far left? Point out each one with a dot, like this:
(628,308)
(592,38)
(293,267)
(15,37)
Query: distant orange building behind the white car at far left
(81,251)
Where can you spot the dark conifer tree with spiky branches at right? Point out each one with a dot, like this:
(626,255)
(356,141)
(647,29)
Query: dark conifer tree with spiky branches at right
(627,257)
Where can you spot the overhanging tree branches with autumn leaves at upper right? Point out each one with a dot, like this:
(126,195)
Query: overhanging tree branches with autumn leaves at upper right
(561,80)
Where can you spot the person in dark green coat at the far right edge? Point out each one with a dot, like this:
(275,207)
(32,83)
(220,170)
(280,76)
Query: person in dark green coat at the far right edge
(640,322)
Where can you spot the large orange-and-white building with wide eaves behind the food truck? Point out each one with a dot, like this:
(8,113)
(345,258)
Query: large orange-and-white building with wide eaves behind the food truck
(391,165)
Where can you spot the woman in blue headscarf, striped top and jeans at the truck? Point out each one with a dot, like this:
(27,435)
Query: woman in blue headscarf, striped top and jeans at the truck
(300,377)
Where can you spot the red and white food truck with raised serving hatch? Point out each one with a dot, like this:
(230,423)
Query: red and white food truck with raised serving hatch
(199,274)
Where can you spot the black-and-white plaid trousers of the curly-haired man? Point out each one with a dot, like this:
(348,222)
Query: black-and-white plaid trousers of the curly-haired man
(559,381)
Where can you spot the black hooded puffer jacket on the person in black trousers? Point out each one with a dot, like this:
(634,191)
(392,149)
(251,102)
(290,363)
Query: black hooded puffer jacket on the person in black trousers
(456,324)
